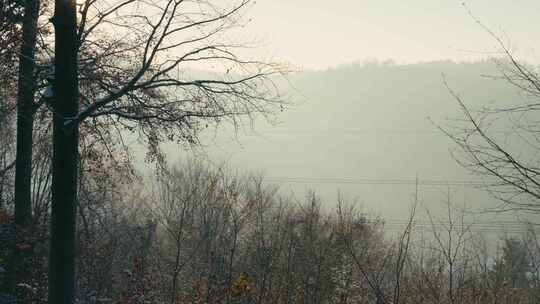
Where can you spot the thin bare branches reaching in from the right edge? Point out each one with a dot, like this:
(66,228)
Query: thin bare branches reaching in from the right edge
(500,144)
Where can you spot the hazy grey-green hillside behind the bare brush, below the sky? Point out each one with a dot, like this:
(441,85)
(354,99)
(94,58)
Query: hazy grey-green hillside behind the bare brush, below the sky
(367,131)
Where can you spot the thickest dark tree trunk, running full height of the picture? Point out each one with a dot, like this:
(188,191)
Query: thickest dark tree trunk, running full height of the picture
(65,156)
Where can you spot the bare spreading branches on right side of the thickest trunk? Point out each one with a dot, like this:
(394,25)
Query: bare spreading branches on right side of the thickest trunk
(142,75)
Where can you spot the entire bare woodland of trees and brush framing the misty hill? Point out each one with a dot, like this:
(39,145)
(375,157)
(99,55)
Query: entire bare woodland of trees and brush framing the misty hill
(81,223)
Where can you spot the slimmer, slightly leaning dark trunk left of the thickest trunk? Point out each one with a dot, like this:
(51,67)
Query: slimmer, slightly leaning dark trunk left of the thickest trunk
(25,124)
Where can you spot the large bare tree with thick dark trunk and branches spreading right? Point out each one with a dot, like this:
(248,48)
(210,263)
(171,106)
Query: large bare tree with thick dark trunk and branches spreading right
(164,41)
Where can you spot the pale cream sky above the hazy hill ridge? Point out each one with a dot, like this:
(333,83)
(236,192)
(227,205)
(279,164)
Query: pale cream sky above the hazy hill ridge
(317,34)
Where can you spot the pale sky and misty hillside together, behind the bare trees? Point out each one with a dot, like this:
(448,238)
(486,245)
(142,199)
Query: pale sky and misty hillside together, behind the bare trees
(369,97)
